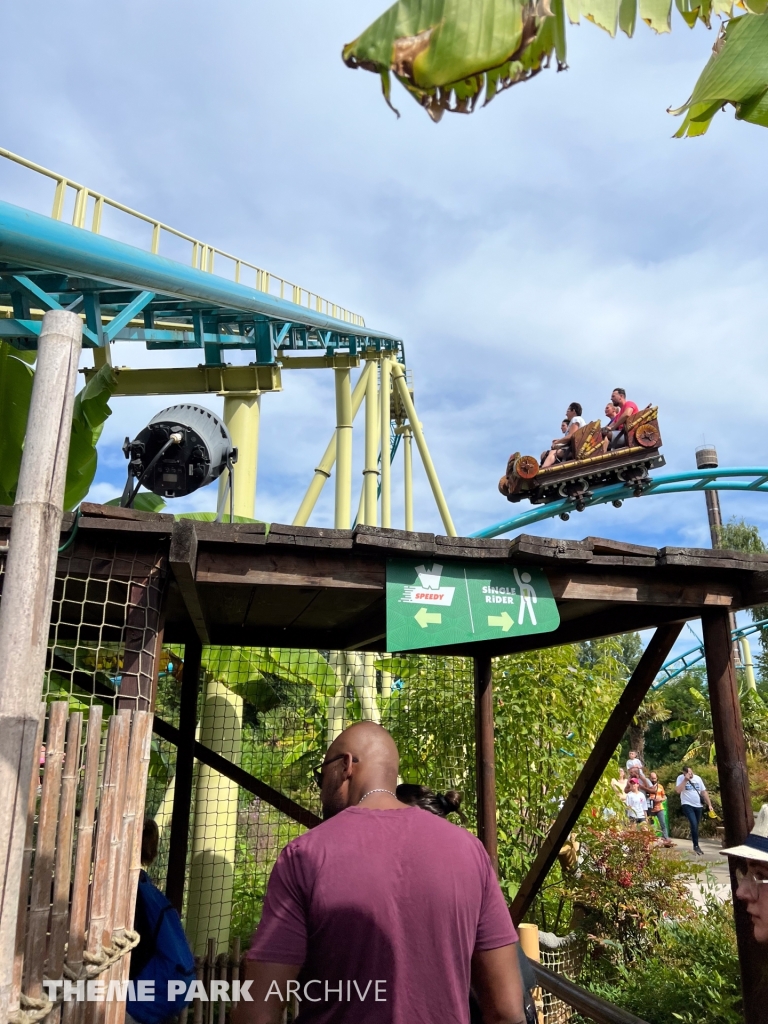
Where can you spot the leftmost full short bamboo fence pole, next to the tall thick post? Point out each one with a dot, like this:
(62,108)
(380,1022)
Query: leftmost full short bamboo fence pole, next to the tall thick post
(46,848)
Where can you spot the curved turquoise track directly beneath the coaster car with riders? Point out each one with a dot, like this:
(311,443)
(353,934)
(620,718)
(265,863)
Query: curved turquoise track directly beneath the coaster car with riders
(738,479)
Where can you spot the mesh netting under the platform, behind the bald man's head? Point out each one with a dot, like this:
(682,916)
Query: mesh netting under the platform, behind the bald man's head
(274,713)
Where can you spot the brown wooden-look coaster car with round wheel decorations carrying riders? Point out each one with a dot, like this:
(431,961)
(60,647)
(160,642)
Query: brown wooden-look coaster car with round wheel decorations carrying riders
(633,454)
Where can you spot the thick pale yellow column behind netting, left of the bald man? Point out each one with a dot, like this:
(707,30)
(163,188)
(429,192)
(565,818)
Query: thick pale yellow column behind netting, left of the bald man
(212,870)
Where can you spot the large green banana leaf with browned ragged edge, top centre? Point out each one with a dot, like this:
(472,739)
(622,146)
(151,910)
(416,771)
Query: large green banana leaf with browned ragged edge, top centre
(448,53)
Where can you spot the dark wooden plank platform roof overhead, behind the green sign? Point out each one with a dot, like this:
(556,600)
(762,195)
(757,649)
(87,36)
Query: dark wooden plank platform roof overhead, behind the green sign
(301,587)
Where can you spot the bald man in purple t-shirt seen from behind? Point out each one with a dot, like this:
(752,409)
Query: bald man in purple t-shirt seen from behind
(385,913)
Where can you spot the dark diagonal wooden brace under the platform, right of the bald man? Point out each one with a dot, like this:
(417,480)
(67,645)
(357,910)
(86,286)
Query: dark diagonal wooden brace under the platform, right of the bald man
(637,687)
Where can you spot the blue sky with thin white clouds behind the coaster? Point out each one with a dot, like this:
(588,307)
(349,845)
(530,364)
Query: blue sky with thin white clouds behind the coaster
(543,250)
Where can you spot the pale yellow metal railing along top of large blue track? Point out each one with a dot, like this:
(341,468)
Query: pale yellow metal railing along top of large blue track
(203,255)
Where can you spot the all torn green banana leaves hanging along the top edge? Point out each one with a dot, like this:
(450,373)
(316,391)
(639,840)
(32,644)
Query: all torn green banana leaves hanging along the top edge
(450,54)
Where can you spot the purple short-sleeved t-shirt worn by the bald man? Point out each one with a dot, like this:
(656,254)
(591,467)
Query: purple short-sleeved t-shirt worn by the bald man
(400,898)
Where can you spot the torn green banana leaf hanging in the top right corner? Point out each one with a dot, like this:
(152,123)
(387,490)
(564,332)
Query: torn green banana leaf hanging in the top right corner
(737,73)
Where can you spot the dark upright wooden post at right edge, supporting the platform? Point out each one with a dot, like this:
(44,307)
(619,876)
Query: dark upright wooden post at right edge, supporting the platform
(735,795)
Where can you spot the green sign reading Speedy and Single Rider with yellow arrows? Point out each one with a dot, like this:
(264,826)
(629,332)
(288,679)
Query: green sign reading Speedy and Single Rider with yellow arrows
(436,604)
